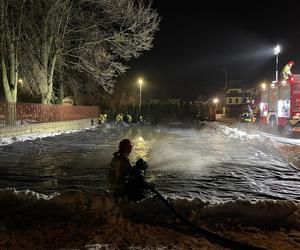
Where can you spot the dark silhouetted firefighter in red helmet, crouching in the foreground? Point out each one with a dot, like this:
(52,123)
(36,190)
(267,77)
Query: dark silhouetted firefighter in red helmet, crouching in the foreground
(120,168)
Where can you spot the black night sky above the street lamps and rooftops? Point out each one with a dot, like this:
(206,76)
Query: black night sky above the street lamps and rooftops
(194,43)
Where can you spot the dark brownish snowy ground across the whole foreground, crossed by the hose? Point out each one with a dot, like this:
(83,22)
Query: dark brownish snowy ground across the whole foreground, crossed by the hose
(77,220)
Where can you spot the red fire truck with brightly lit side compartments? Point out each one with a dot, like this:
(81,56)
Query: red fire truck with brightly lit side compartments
(280,104)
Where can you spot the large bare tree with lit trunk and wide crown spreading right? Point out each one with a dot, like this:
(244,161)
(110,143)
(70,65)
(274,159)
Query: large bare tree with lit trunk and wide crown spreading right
(91,37)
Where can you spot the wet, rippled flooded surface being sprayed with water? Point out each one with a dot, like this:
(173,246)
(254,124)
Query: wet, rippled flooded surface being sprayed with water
(204,162)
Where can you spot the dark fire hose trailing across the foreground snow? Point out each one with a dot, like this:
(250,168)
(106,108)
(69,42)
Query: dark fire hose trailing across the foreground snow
(209,235)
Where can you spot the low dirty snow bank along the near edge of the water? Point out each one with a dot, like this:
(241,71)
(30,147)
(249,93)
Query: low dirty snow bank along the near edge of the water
(153,210)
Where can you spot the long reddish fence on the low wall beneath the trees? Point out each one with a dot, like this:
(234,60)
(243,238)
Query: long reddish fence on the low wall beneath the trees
(16,114)
